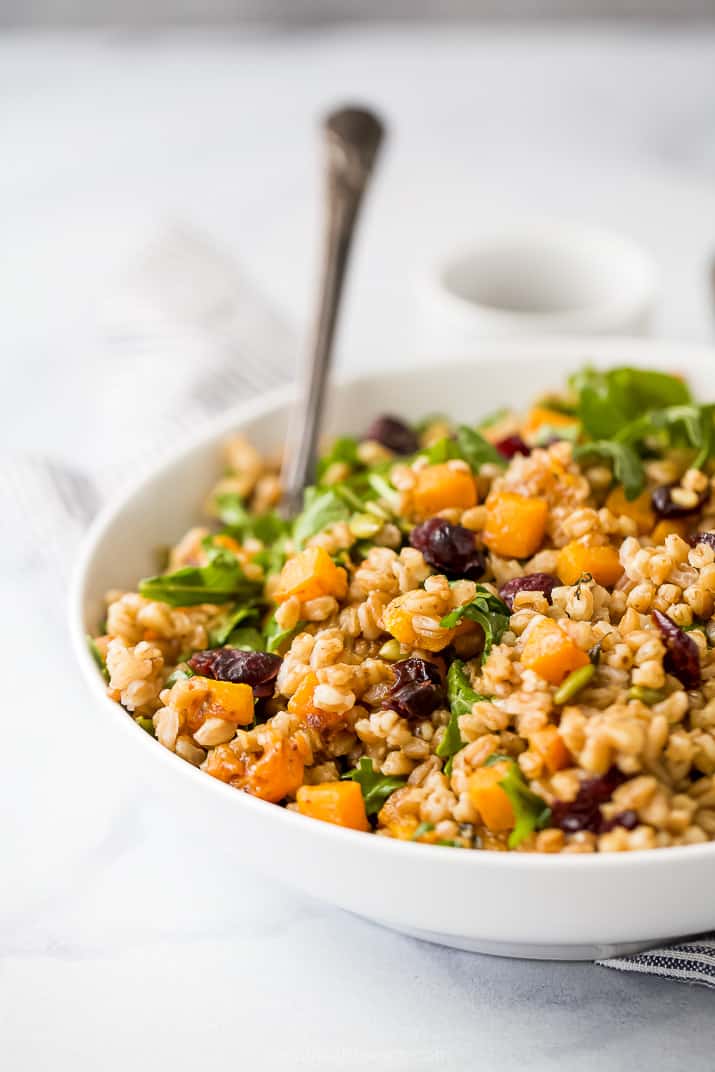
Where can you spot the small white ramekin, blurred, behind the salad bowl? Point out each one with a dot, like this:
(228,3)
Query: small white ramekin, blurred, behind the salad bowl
(542,279)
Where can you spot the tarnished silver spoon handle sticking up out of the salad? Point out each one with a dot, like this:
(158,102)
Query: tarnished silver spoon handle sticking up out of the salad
(352,139)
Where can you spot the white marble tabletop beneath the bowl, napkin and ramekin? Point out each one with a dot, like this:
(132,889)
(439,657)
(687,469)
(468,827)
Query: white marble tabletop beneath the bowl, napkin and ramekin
(123,943)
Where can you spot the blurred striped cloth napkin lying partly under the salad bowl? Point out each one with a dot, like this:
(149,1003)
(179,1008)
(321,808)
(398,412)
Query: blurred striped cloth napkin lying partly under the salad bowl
(221,343)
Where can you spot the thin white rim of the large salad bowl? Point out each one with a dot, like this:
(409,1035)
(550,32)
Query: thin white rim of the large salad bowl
(210,434)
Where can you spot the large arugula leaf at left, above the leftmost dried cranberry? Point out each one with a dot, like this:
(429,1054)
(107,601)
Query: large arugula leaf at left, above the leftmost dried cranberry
(221,580)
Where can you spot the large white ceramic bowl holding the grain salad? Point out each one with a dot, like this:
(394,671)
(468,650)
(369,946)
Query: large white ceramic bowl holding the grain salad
(512,904)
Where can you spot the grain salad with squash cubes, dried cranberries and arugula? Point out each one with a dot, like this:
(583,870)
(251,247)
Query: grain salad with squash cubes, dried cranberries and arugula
(489,637)
